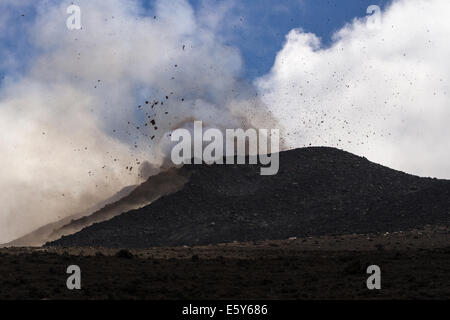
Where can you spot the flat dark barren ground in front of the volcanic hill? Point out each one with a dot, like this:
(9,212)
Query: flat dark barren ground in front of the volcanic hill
(414,264)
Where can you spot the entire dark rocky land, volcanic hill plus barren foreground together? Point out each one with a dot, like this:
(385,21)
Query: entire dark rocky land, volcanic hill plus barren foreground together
(226,232)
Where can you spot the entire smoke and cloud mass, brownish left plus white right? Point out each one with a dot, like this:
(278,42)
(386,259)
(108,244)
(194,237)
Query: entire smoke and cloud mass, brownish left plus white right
(75,125)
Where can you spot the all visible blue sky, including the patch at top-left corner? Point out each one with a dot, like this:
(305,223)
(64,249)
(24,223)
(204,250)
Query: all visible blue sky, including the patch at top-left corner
(256,27)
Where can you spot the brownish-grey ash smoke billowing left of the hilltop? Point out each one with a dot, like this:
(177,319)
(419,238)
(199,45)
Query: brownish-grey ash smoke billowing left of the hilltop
(97,103)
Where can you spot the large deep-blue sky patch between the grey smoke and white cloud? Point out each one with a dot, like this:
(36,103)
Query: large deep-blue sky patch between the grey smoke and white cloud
(262,25)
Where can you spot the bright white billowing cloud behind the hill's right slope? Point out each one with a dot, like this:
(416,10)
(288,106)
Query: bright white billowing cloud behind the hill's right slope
(378,92)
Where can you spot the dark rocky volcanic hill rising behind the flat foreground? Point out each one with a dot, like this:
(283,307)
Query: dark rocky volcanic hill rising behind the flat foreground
(317,191)
